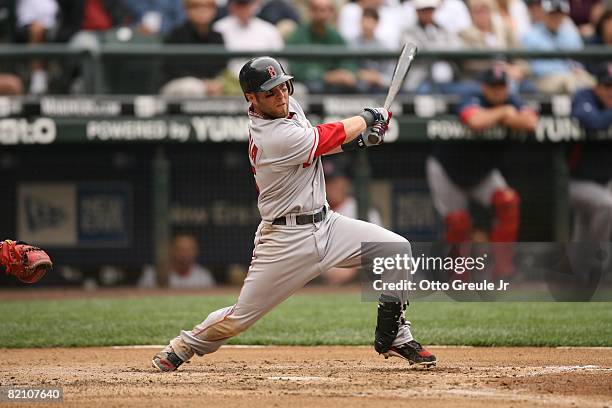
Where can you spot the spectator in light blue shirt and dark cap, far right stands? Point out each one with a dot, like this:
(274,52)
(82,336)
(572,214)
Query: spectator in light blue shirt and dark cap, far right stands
(557,32)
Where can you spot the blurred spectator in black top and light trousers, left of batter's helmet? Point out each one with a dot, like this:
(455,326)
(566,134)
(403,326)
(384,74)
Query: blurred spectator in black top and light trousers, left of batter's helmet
(194,78)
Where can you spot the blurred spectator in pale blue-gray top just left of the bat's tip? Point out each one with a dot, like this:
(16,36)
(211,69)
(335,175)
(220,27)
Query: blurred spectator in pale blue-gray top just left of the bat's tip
(374,75)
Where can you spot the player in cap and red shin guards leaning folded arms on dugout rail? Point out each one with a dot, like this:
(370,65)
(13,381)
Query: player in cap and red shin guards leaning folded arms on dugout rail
(460,173)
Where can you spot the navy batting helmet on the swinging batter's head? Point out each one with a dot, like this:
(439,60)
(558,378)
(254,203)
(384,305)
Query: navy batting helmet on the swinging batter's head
(261,74)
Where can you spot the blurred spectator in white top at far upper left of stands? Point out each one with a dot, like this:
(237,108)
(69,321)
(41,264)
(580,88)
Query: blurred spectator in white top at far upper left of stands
(35,20)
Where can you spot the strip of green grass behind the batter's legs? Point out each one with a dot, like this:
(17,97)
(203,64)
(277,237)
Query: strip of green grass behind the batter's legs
(302,320)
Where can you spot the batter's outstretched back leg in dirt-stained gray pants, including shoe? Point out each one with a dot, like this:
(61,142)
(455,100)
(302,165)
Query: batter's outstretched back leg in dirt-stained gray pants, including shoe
(284,259)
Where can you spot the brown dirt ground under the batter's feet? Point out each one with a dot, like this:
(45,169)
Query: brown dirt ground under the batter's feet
(318,376)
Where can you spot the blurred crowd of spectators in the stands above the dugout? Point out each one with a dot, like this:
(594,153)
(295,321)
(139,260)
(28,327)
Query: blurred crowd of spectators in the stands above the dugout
(261,25)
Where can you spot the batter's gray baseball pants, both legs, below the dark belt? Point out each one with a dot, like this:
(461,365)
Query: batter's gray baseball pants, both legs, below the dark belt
(285,258)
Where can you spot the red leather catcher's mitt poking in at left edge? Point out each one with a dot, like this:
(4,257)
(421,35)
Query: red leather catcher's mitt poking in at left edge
(26,262)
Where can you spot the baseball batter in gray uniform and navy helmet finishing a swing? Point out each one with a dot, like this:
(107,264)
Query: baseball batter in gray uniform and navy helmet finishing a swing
(298,237)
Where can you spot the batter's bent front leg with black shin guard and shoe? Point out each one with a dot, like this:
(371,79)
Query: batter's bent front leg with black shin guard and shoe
(392,336)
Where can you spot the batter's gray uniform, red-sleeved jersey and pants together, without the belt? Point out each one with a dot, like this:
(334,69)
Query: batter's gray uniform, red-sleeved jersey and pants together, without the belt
(285,156)
